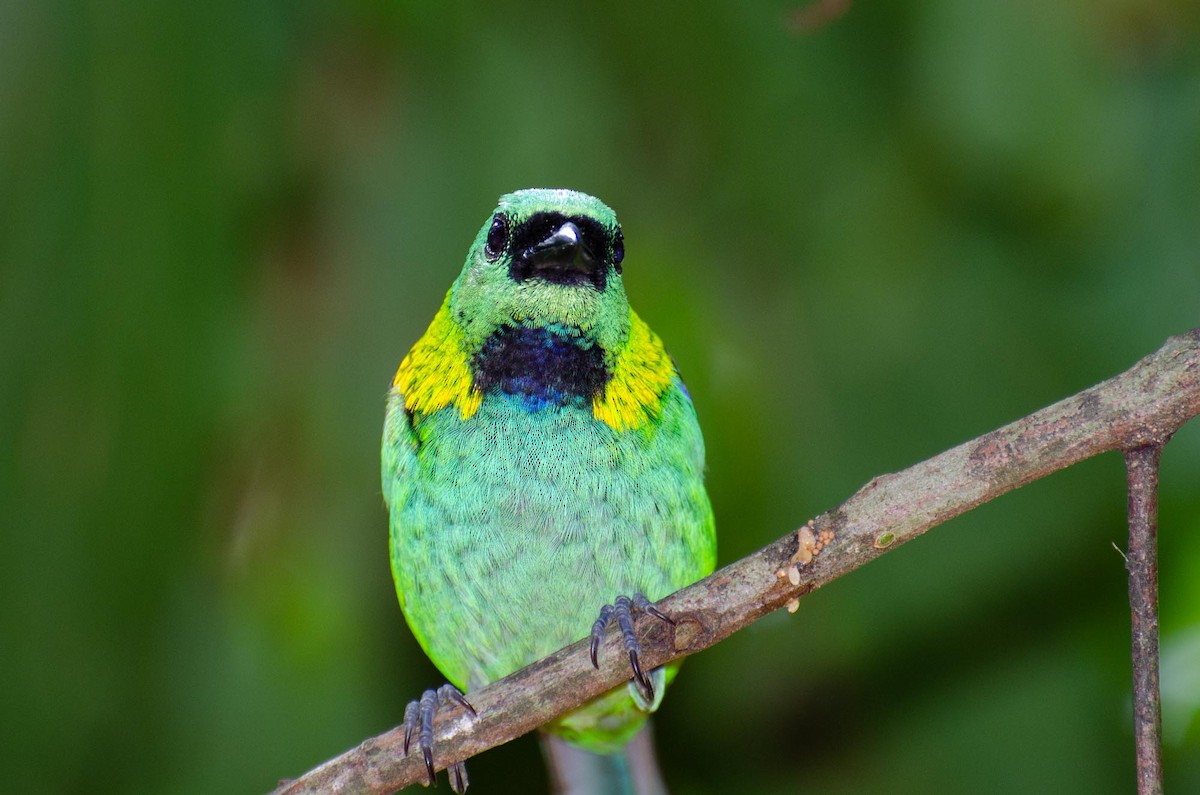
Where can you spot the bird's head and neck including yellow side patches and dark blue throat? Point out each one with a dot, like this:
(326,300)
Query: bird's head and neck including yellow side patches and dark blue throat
(539,314)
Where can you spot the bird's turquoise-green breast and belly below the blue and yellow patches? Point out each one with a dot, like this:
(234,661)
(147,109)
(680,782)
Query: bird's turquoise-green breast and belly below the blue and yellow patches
(511,529)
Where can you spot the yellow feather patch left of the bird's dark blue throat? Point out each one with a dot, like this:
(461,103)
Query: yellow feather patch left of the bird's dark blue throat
(435,374)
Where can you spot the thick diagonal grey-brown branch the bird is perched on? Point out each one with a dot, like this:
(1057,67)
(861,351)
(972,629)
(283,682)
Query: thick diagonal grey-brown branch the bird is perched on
(1143,407)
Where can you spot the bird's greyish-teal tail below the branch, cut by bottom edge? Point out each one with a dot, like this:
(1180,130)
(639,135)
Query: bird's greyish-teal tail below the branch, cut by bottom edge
(634,770)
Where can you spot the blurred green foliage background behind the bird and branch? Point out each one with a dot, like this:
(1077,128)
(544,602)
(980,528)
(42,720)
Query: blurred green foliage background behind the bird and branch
(866,234)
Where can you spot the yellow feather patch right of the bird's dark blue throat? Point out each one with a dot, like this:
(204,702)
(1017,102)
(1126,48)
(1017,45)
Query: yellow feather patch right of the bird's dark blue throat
(640,376)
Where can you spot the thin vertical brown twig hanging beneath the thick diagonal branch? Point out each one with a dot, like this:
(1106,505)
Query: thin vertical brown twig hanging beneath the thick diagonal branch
(1142,467)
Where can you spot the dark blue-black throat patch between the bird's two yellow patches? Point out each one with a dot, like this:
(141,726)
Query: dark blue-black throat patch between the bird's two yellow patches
(543,367)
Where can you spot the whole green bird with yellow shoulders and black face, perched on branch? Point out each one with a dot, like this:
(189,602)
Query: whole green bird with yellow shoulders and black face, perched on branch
(543,470)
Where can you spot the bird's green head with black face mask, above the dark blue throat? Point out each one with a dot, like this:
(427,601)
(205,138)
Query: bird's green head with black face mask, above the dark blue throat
(545,260)
